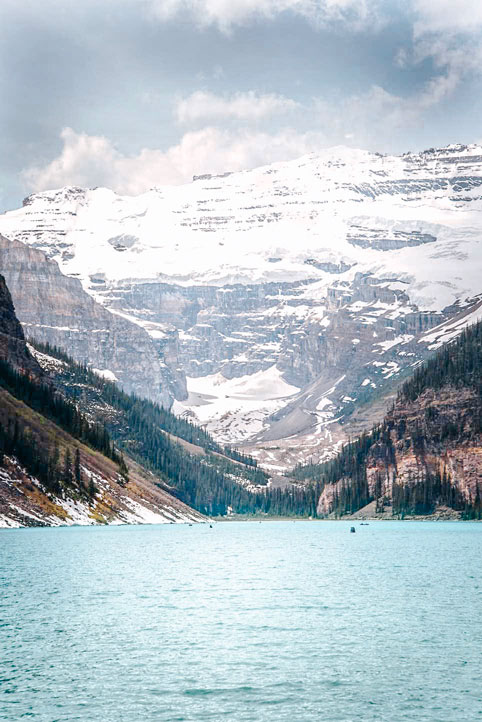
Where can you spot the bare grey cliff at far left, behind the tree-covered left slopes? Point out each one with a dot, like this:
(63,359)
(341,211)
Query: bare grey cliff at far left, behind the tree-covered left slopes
(54,308)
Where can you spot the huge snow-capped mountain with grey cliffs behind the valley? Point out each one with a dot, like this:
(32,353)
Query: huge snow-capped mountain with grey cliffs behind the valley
(299,290)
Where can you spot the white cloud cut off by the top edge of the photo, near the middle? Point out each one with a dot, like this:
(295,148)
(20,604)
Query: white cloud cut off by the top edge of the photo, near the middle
(228,13)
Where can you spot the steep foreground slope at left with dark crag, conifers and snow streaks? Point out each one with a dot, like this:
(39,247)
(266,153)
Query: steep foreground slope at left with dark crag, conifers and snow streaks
(56,466)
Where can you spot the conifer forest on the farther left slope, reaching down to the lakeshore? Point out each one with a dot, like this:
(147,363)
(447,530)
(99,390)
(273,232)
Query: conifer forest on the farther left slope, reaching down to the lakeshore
(211,482)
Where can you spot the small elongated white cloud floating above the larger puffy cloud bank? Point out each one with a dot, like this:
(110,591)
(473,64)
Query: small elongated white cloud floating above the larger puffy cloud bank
(250,106)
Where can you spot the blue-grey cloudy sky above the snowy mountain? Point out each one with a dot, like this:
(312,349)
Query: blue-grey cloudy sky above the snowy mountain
(132,94)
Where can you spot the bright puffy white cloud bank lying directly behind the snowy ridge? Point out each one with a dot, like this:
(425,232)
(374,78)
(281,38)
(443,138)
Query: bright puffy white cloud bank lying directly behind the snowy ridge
(91,161)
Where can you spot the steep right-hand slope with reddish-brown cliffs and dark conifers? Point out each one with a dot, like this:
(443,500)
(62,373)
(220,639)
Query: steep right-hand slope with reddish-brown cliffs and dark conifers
(426,455)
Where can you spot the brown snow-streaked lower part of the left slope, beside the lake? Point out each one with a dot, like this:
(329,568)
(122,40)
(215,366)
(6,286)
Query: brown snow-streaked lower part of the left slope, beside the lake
(102,497)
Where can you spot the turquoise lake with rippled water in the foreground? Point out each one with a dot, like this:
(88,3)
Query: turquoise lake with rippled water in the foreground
(296,621)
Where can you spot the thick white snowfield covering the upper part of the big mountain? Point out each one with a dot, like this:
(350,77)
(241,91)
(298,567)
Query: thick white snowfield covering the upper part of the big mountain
(282,222)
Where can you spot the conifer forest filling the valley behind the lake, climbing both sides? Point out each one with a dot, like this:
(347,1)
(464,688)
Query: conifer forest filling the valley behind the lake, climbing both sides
(211,482)
